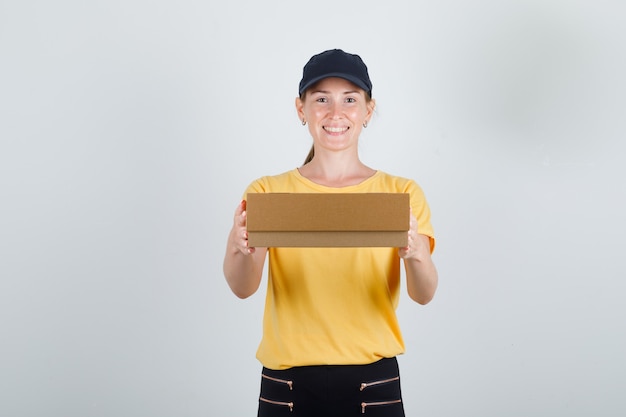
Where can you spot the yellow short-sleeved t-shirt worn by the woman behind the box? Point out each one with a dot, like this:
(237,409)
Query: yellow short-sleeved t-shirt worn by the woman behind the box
(334,306)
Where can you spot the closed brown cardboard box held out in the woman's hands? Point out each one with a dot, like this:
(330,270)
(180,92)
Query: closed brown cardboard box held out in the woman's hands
(327,220)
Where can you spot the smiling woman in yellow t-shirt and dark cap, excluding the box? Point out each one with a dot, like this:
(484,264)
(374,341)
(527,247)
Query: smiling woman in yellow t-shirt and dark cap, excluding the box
(330,331)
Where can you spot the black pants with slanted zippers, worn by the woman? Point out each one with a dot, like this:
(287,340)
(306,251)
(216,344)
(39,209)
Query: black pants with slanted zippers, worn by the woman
(332,391)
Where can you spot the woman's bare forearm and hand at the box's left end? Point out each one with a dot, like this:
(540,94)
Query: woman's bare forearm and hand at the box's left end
(243,266)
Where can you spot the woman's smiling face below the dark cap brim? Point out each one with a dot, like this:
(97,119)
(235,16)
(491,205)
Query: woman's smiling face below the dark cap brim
(335,110)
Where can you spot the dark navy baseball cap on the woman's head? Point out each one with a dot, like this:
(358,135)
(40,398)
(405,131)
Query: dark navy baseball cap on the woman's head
(335,63)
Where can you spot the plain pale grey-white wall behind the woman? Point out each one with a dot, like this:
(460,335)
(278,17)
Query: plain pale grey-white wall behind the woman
(130,129)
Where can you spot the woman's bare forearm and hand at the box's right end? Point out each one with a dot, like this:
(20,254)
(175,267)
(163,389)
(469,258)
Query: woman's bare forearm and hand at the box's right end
(421,274)
